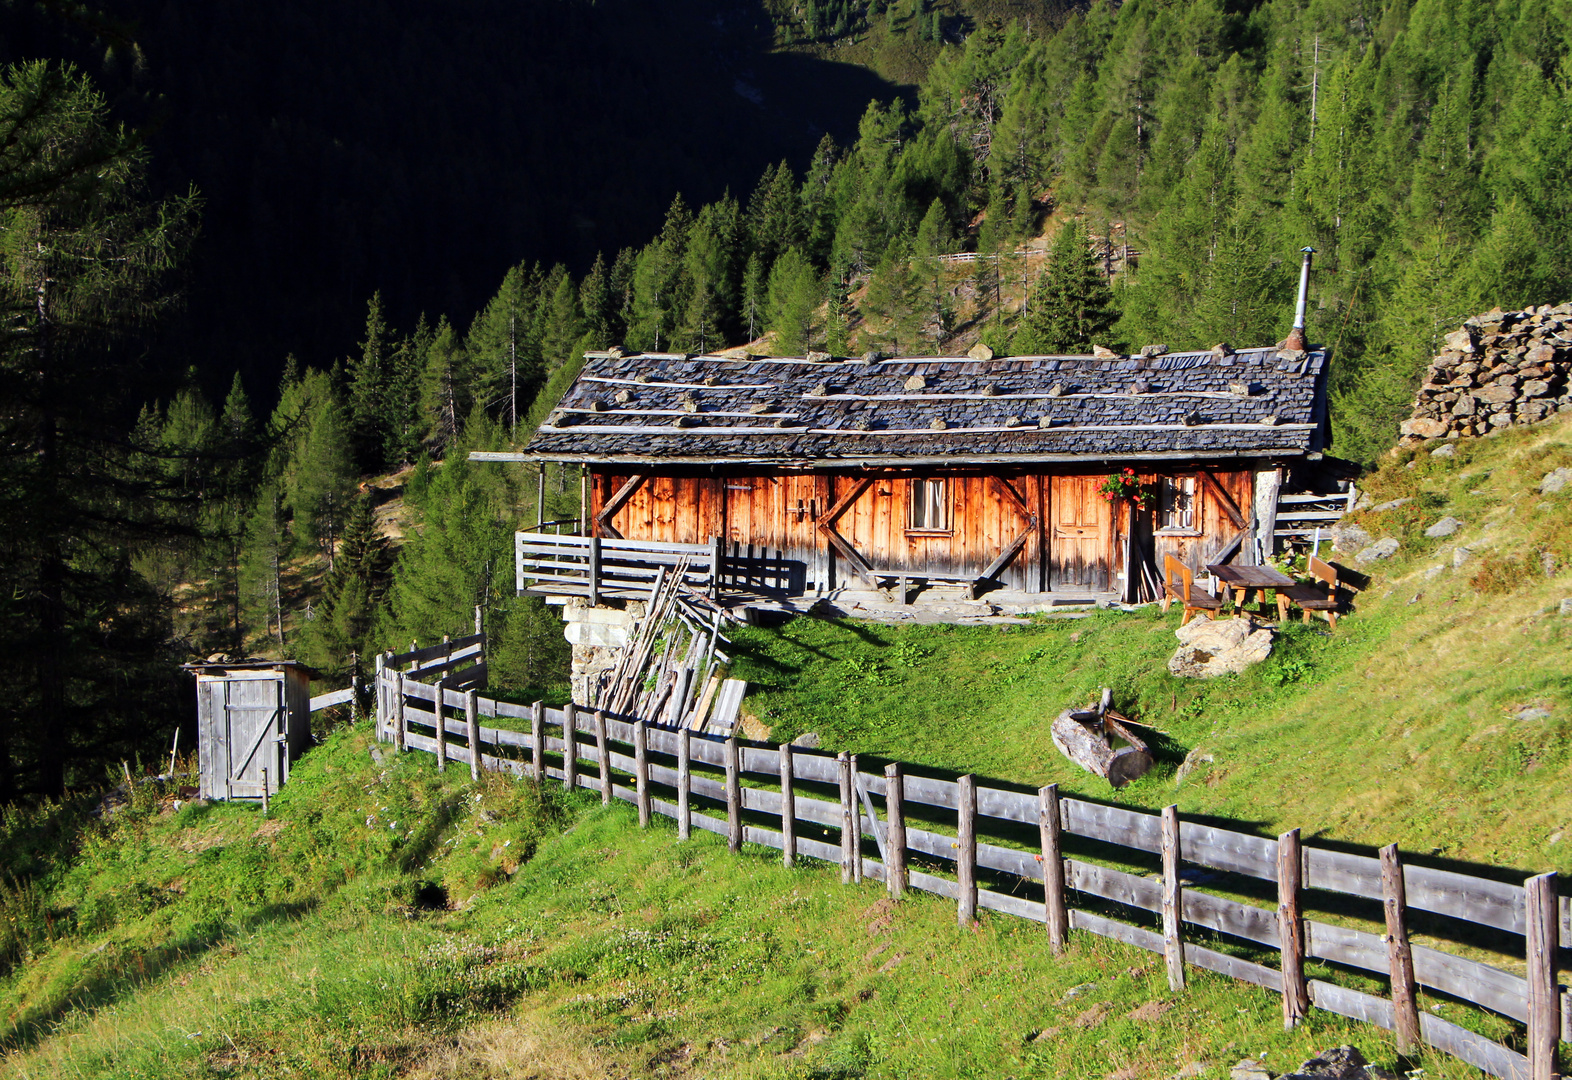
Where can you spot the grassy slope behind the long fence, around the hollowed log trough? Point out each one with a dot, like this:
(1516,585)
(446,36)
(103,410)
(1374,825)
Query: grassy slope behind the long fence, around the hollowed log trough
(1400,727)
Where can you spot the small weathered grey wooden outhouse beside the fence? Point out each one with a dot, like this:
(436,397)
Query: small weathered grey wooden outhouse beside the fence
(254,719)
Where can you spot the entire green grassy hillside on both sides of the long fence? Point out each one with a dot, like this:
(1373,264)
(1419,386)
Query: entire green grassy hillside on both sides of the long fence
(387,920)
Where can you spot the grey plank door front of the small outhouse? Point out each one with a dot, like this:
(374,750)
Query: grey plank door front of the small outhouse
(248,722)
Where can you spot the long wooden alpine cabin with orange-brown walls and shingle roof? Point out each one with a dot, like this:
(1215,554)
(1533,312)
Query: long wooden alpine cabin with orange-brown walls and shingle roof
(990,474)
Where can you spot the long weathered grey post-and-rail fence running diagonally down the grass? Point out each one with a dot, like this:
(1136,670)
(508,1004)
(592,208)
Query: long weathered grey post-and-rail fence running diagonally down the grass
(1016,853)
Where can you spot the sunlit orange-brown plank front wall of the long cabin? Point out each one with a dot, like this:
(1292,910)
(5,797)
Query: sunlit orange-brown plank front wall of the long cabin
(1060,535)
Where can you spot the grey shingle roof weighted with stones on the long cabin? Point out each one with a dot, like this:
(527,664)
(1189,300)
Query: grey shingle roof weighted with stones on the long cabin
(935,410)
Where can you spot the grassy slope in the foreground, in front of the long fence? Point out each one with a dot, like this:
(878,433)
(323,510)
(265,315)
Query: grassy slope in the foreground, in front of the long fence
(213,944)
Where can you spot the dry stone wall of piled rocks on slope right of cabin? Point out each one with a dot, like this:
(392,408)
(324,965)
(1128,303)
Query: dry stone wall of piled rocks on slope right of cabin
(1500,369)
